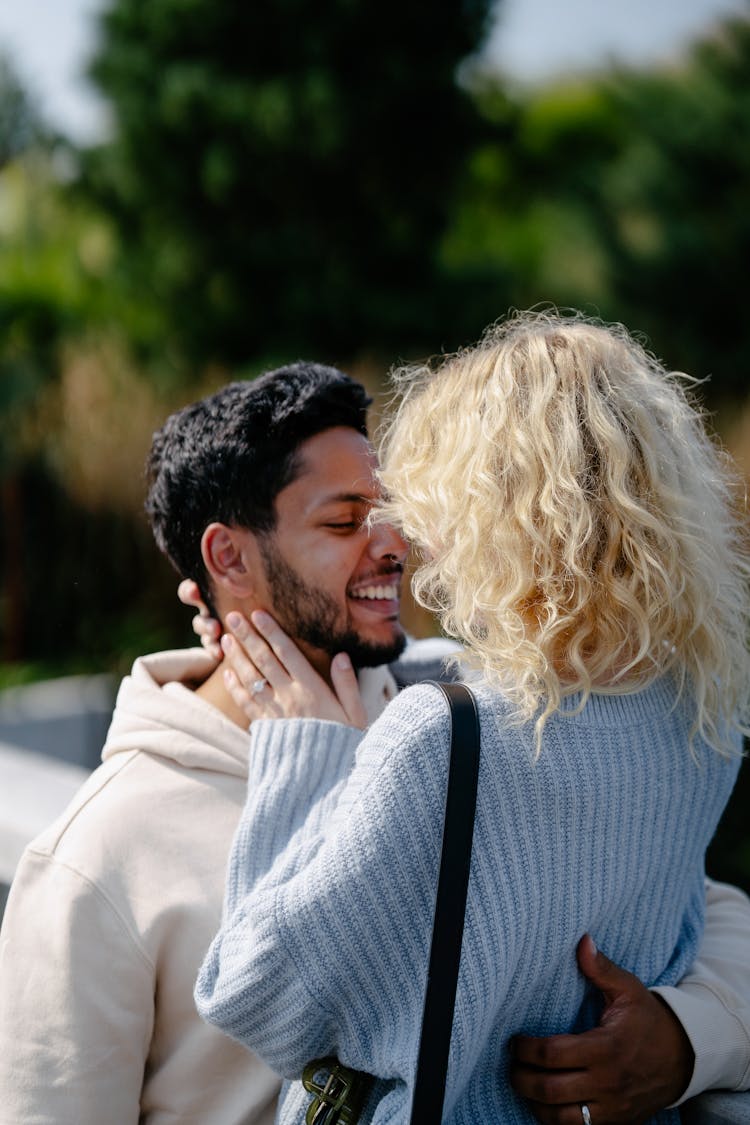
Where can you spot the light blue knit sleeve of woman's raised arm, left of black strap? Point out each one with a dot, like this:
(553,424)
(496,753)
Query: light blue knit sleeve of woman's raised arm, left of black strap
(326,940)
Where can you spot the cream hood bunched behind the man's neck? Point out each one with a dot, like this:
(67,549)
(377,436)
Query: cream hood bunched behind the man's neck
(158,713)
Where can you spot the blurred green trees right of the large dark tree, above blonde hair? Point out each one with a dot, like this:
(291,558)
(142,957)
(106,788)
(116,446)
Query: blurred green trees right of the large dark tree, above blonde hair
(625,194)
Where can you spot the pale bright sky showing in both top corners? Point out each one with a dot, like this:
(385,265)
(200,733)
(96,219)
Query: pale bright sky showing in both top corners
(51,40)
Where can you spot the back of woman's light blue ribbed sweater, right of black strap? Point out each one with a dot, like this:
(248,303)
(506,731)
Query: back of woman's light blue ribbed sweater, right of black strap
(606,833)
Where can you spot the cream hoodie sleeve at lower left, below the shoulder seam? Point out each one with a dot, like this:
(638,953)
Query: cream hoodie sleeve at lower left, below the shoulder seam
(71,1052)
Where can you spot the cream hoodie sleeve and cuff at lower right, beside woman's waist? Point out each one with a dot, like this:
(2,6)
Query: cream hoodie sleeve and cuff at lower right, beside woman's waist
(712,1002)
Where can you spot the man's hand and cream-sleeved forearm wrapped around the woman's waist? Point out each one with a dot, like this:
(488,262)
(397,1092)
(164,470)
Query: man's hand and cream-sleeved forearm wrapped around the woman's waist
(643,1057)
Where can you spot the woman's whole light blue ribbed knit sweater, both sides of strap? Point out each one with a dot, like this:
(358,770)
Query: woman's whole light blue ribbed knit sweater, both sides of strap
(332,885)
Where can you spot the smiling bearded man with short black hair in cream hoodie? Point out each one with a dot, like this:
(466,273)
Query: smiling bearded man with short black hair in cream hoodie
(261,493)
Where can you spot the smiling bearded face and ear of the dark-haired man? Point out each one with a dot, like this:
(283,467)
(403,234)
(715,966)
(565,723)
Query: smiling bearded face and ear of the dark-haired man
(335,584)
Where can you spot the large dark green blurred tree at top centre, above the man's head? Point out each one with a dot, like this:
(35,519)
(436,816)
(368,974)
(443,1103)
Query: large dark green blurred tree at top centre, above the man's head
(282,173)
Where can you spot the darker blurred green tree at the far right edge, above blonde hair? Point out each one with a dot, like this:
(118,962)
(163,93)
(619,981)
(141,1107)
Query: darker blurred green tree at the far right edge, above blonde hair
(673,209)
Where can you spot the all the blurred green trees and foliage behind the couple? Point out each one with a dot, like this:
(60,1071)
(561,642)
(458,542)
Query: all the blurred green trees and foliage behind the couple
(350,182)
